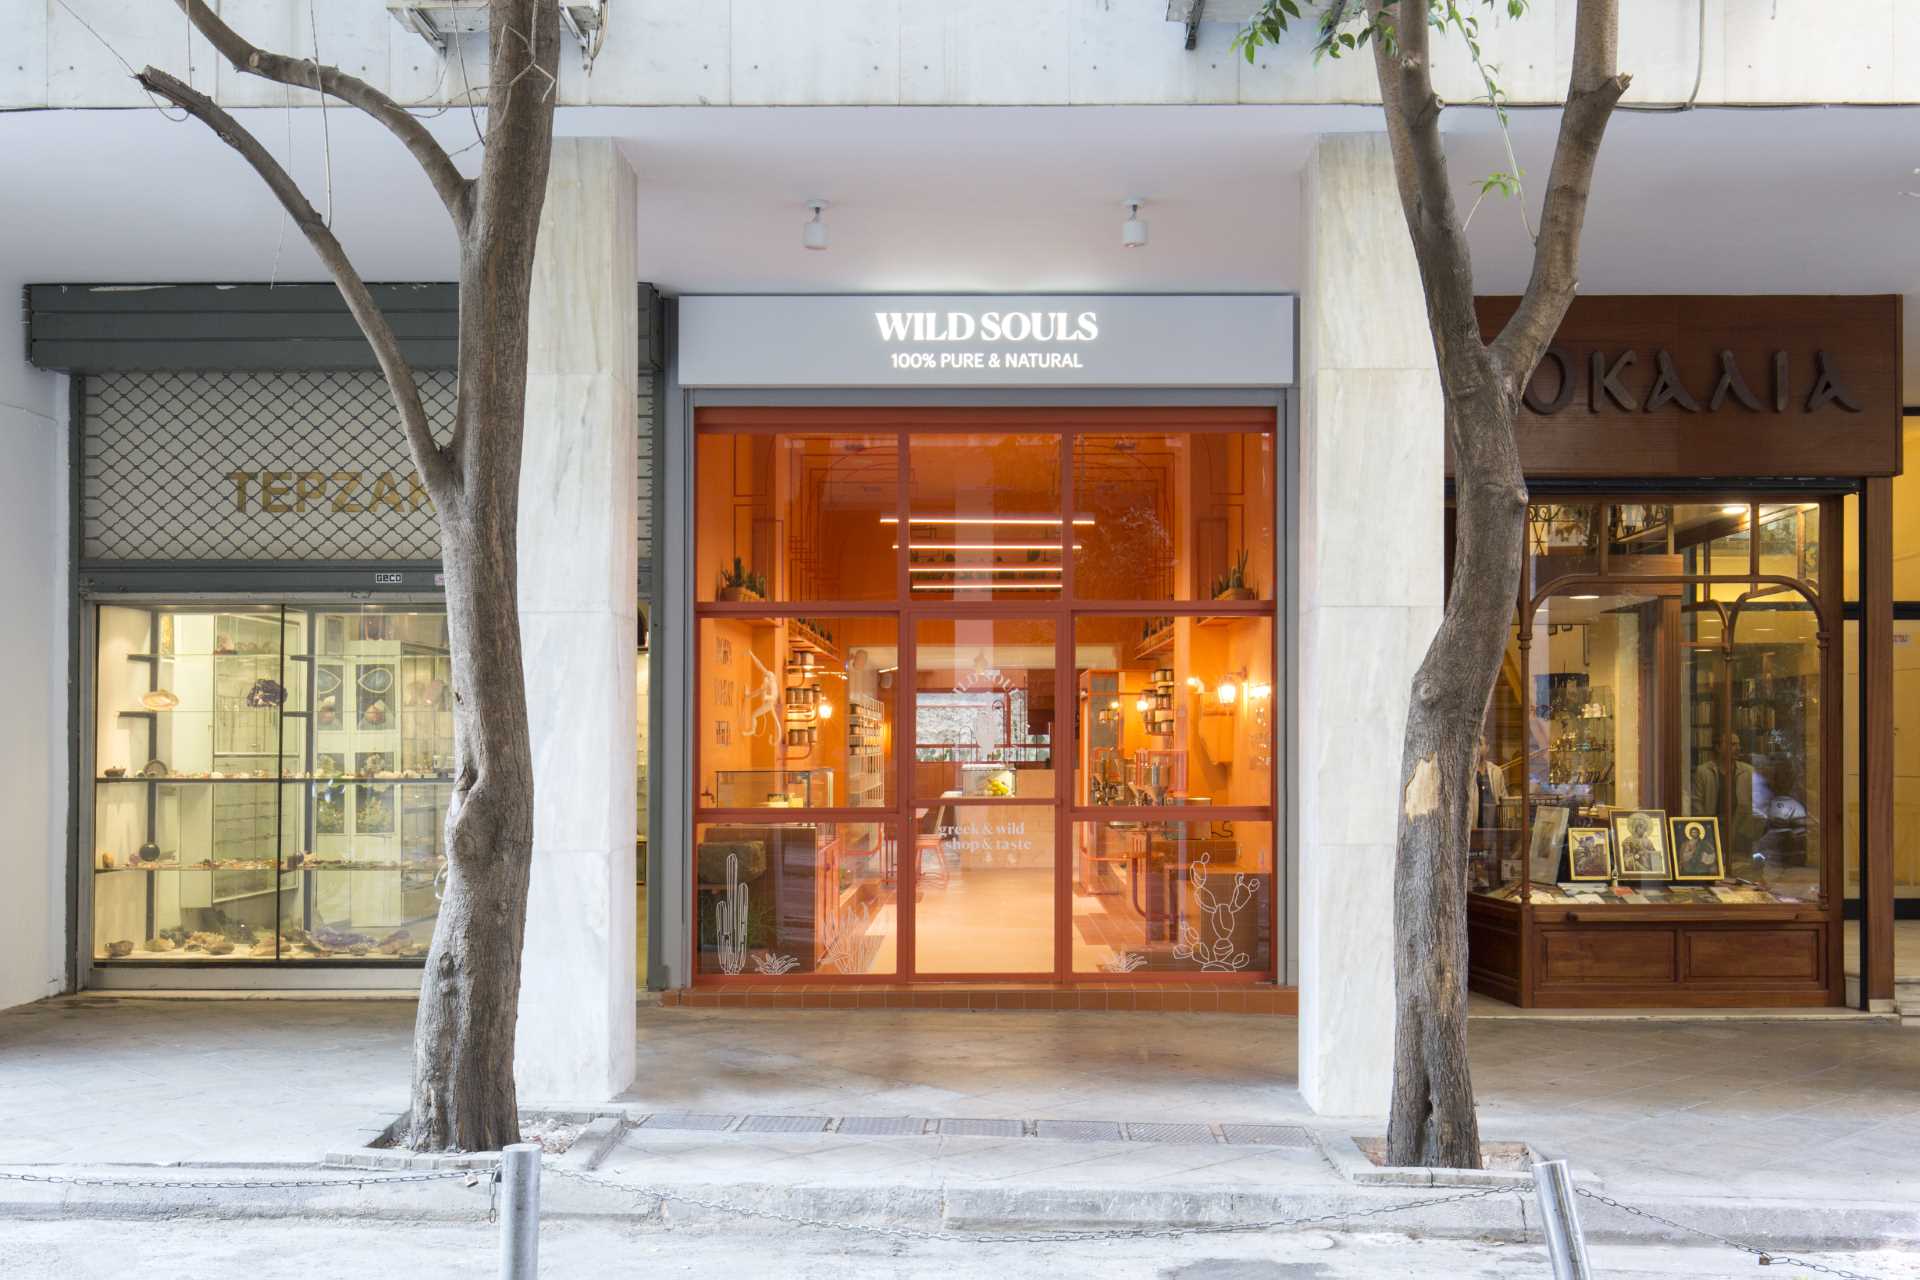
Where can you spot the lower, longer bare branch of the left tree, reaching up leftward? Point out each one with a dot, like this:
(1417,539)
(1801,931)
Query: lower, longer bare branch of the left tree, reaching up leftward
(427,456)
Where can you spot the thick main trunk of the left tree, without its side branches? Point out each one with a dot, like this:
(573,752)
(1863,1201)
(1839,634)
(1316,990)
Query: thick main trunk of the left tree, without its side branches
(464,1035)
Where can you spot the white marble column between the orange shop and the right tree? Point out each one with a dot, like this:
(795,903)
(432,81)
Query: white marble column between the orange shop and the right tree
(1370,602)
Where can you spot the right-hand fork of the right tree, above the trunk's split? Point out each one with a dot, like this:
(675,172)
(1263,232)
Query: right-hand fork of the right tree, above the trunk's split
(1593,91)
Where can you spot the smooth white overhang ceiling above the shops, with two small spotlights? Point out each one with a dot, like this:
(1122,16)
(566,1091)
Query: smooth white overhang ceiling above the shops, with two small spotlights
(986,199)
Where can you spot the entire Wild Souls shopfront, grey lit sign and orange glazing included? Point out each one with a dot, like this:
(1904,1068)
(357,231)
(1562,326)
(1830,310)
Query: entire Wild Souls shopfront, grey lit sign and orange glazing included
(1026,734)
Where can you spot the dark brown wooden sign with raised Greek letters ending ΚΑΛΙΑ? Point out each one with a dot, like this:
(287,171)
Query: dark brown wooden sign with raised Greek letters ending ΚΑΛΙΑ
(1716,387)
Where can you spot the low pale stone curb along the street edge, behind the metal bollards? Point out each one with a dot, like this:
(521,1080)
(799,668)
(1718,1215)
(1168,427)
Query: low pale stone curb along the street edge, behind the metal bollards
(961,1210)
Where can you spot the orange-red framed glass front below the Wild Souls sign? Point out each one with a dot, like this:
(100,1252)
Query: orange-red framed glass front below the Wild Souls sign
(984,642)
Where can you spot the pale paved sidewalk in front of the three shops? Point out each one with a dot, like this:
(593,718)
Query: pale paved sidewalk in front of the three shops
(1787,1129)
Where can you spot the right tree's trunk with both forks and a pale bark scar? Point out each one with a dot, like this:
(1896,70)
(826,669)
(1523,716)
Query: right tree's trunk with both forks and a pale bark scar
(1431,1118)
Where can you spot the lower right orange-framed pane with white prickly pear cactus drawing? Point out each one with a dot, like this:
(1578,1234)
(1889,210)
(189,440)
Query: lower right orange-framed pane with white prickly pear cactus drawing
(1172,897)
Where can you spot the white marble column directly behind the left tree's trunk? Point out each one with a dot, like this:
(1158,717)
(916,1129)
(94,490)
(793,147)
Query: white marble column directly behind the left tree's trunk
(579,617)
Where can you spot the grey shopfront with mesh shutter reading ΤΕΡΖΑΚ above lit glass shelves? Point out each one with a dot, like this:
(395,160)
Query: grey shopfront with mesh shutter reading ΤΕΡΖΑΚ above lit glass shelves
(260,665)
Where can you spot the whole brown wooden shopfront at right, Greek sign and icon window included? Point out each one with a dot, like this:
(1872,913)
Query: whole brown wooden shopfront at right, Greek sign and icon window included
(1664,780)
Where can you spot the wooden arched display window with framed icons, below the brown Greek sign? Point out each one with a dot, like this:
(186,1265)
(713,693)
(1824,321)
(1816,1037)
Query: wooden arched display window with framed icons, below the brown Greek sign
(1660,774)
